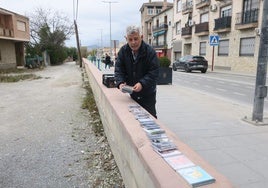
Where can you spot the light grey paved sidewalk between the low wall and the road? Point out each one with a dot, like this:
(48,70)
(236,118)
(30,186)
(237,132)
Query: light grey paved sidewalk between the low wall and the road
(214,128)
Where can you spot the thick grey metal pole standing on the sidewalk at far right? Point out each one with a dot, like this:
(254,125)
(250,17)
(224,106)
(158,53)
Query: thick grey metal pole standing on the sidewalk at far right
(260,87)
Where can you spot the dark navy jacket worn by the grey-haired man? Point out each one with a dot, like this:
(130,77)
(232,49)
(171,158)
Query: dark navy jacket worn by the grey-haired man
(144,69)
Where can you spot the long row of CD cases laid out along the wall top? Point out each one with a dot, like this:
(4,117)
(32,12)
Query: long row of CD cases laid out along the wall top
(166,148)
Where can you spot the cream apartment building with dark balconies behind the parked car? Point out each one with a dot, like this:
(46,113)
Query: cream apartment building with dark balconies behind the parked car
(235,23)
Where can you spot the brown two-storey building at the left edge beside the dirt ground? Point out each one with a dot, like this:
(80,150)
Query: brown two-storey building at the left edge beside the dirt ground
(14,32)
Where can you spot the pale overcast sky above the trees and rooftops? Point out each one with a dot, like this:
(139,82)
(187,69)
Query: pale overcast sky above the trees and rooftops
(93,18)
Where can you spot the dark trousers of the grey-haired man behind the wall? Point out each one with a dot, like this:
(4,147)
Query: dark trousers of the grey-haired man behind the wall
(148,103)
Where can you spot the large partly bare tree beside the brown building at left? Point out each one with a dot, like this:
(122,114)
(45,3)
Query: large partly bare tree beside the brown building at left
(49,30)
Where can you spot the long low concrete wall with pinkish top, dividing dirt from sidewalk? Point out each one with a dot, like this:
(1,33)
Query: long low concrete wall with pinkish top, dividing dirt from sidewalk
(139,165)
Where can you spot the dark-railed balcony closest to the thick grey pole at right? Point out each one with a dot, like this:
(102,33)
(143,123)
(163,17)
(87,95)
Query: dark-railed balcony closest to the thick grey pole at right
(247,19)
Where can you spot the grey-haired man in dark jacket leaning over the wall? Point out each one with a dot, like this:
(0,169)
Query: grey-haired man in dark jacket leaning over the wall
(137,65)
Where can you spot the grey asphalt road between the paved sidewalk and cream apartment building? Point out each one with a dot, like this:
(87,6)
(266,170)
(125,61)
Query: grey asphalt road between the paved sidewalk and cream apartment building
(239,88)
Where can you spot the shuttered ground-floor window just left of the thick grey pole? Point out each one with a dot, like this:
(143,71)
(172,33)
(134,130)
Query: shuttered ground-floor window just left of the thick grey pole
(247,46)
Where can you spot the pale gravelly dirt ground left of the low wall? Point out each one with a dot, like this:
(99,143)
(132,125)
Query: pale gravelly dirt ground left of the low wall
(47,138)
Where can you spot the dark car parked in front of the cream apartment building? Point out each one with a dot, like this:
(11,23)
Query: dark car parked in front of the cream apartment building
(191,62)
